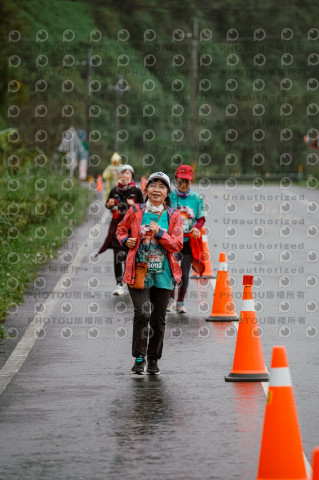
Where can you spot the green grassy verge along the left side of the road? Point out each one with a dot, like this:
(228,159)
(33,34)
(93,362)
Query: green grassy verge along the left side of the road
(39,211)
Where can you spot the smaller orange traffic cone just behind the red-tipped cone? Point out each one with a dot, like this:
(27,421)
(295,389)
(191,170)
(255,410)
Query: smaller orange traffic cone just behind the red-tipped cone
(223,306)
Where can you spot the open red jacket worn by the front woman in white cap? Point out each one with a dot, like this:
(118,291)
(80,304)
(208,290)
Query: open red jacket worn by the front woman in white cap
(171,241)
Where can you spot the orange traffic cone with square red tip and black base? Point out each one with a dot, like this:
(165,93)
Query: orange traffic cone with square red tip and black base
(248,363)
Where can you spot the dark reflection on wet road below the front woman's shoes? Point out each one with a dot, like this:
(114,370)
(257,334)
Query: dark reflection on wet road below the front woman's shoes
(141,422)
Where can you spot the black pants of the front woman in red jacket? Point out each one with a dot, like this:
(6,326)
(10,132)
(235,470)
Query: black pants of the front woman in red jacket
(149,307)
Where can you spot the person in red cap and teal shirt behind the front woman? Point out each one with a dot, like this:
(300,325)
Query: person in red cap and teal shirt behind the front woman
(191,208)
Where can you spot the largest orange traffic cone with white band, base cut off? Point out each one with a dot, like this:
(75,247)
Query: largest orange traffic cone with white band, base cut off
(281,455)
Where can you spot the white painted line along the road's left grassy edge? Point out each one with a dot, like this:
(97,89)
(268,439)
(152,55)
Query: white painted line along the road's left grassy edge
(22,350)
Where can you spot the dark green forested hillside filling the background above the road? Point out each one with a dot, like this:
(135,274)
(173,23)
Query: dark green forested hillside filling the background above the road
(253,99)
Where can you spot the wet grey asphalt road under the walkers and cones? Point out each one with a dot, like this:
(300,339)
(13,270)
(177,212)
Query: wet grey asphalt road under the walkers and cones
(74,411)
